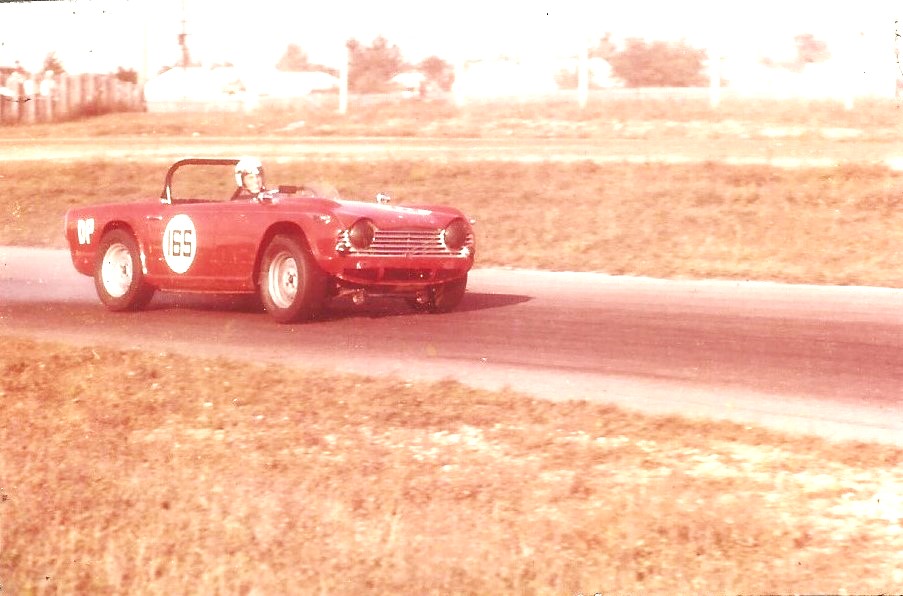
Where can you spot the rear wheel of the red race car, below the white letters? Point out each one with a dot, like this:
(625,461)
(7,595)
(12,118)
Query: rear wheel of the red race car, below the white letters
(118,276)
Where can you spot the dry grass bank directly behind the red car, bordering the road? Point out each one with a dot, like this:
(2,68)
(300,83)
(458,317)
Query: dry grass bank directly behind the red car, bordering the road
(840,225)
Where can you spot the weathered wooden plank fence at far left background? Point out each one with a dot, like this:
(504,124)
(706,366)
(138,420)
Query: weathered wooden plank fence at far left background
(65,97)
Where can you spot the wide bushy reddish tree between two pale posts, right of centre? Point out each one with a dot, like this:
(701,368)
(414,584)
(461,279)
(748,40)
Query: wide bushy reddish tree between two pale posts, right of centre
(659,64)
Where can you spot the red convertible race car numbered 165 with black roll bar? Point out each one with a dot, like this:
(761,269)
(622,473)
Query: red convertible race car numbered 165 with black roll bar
(288,245)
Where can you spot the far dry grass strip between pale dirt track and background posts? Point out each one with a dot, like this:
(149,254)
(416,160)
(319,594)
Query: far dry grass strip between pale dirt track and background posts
(606,116)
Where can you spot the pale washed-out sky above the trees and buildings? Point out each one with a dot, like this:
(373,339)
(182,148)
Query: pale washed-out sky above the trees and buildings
(101,35)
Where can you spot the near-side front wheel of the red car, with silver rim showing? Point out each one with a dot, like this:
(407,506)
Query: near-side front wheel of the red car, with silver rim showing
(292,286)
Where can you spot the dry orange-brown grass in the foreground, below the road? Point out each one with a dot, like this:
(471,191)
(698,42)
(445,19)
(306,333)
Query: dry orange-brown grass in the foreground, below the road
(123,472)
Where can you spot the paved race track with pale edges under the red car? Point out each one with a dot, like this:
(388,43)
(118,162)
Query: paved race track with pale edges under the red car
(809,359)
